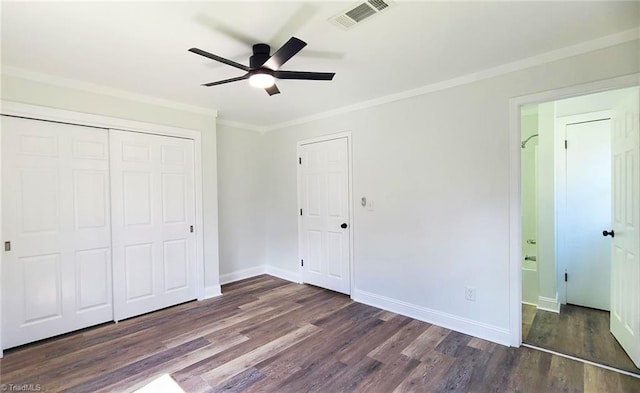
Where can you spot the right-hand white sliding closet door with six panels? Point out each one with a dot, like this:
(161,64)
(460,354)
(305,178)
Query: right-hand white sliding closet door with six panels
(153,214)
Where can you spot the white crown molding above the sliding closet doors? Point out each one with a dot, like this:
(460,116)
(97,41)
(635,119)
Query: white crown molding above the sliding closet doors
(59,81)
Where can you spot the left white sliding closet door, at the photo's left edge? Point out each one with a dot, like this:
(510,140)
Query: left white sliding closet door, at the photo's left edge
(55,201)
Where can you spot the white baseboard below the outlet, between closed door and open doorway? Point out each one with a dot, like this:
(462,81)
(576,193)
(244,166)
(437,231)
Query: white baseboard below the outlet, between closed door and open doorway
(463,325)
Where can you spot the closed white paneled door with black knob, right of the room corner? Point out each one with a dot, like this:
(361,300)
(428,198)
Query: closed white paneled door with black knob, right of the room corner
(324,202)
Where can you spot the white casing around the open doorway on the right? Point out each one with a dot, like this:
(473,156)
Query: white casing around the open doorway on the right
(515,205)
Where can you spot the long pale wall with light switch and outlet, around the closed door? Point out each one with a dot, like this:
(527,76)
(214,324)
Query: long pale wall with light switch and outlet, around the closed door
(437,167)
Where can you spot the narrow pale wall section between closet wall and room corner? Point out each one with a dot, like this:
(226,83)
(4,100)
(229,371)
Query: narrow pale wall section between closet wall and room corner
(241,189)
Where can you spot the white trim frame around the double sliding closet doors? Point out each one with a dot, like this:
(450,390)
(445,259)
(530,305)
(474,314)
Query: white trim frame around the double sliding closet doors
(84,119)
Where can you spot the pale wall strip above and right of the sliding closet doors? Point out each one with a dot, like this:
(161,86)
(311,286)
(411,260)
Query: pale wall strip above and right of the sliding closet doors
(56,96)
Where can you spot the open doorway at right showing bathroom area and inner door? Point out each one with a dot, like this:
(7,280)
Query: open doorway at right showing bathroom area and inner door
(569,180)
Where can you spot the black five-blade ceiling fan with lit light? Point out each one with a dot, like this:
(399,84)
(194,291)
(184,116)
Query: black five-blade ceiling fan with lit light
(264,68)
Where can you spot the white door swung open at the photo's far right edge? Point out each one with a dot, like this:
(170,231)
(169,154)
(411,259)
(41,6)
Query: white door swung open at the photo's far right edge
(625,272)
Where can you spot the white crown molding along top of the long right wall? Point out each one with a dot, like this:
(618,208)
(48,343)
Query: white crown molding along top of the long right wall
(559,54)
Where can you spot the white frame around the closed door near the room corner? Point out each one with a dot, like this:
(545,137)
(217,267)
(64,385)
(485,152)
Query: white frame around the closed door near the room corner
(325,138)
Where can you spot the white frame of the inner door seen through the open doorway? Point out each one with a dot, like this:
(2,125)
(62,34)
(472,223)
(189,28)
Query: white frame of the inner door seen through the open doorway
(561,192)
